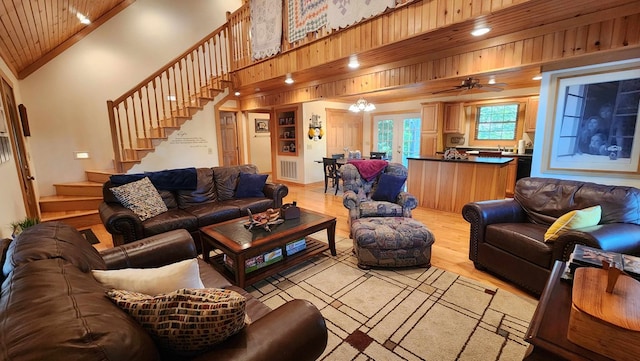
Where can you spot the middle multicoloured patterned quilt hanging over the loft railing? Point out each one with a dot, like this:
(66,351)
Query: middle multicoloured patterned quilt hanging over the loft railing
(306,16)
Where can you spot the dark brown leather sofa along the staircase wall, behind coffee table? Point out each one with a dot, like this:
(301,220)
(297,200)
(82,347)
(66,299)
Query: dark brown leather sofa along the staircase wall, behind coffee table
(212,201)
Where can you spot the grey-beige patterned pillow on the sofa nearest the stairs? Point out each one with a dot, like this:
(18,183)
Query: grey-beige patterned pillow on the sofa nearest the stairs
(141,197)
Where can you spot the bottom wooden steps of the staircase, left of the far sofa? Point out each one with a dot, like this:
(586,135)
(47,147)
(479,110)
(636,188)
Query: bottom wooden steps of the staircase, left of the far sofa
(76,203)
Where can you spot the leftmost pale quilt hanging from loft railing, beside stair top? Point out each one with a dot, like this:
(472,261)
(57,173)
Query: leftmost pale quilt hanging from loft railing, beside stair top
(266,27)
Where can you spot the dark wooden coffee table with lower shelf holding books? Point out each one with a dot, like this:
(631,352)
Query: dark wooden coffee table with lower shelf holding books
(240,244)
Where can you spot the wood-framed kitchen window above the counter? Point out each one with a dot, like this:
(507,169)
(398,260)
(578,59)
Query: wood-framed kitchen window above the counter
(496,124)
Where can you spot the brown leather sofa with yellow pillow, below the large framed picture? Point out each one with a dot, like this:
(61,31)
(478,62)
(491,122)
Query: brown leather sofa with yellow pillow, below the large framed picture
(507,236)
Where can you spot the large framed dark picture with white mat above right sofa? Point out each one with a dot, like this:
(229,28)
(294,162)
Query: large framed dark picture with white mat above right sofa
(595,121)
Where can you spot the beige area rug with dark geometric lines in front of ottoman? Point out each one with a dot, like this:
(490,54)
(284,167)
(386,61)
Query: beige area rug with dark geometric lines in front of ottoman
(403,314)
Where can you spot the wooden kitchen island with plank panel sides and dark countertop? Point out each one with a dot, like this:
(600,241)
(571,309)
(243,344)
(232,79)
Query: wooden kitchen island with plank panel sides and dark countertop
(449,184)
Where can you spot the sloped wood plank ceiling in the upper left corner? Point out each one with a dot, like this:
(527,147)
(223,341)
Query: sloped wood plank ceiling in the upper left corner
(32,32)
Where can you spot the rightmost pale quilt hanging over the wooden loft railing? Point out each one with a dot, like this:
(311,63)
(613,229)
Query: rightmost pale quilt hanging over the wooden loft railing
(342,13)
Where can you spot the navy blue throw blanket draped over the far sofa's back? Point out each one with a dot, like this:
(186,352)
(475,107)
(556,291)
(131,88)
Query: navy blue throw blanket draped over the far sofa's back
(172,179)
